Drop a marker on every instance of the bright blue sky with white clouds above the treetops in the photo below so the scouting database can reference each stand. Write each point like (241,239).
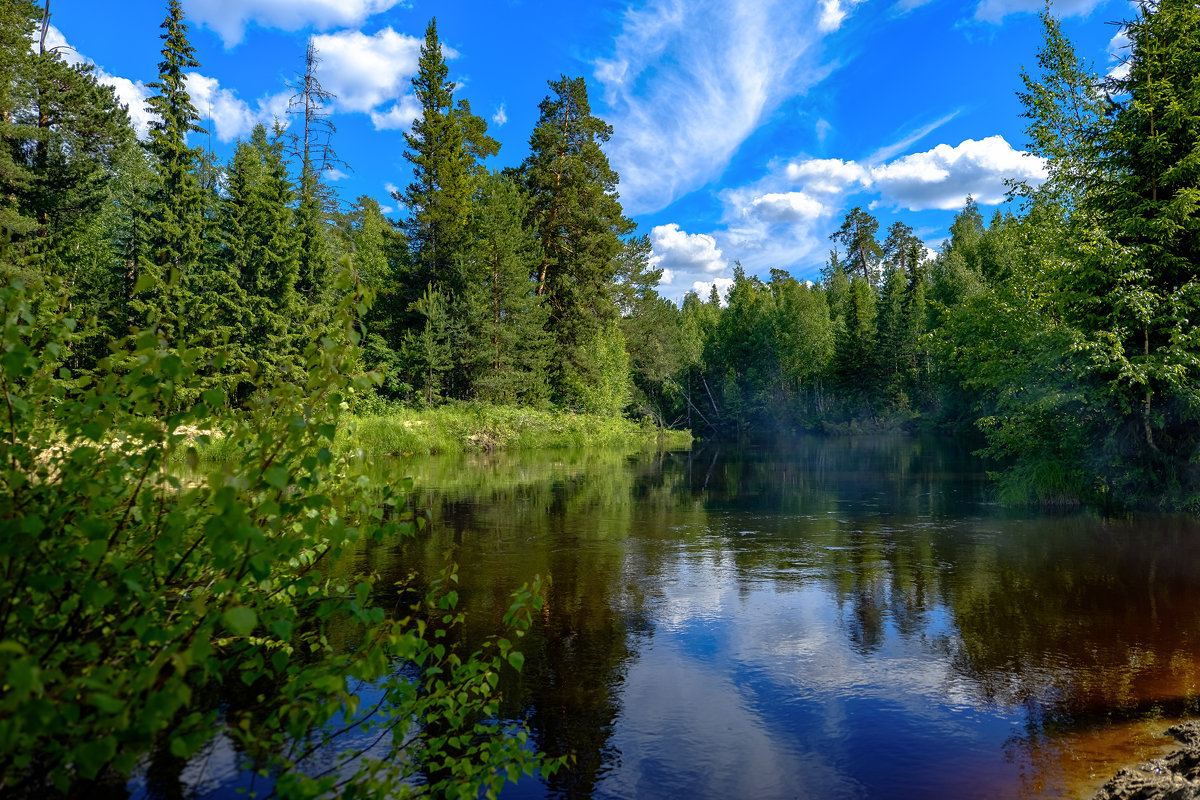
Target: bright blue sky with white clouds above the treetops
(742,130)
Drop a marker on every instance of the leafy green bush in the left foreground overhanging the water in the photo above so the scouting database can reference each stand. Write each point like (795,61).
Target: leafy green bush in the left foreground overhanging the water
(130,597)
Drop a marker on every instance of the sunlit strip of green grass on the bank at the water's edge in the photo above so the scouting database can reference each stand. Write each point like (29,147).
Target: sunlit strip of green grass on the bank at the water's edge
(473,428)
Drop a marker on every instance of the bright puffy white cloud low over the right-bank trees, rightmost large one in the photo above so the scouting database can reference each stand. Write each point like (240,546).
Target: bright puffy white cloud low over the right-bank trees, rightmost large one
(944,177)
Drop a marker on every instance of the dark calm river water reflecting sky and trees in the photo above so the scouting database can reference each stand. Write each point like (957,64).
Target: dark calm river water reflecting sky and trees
(835,618)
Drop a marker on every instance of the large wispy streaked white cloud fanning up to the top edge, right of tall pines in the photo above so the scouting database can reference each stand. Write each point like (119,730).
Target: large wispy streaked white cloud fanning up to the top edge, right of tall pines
(688,83)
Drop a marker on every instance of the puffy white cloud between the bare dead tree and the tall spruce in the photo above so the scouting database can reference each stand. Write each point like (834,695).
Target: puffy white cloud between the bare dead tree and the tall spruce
(365,73)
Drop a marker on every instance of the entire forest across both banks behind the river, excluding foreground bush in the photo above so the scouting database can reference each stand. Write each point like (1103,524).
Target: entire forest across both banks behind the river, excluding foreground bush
(1063,330)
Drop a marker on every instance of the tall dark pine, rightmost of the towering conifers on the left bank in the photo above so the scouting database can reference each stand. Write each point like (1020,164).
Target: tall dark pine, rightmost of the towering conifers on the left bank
(579,220)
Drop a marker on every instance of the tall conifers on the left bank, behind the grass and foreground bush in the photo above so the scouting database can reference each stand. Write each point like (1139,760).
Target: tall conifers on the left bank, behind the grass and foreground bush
(502,287)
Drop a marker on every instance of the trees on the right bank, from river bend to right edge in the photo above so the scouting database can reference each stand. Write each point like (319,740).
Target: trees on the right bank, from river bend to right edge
(1065,334)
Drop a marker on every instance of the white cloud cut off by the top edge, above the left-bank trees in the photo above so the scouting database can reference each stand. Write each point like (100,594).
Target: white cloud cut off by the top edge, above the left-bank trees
(229,19)
